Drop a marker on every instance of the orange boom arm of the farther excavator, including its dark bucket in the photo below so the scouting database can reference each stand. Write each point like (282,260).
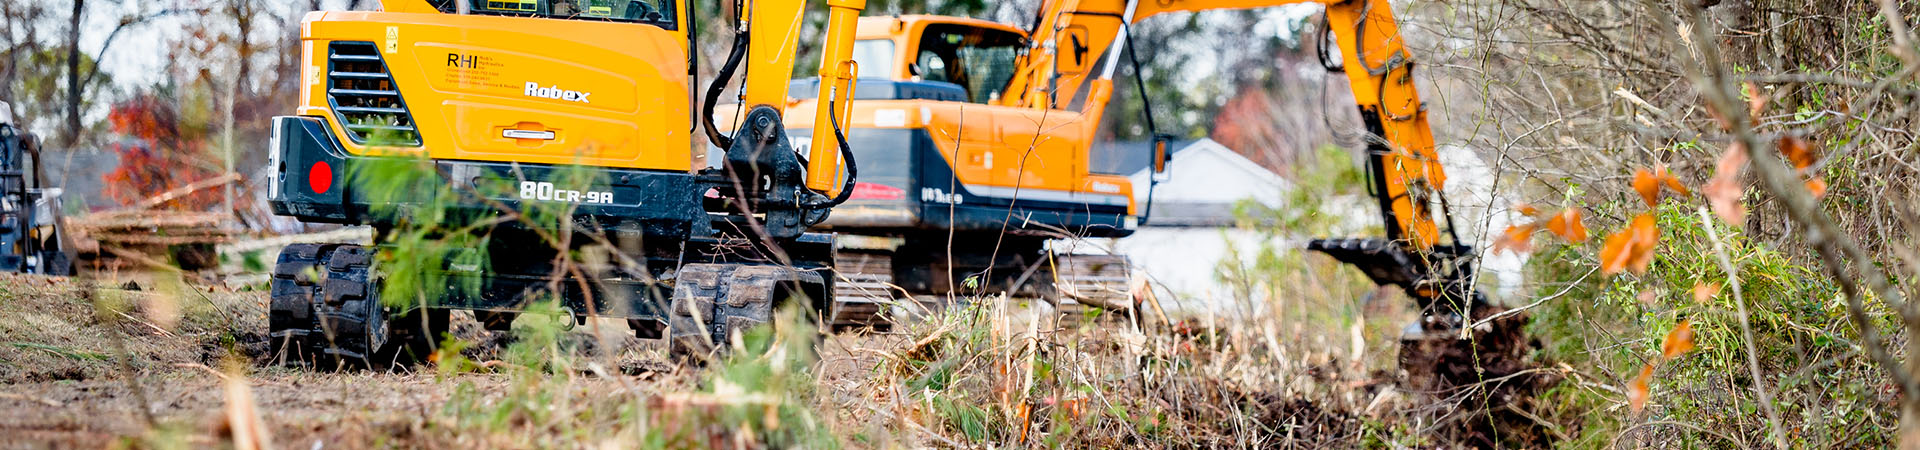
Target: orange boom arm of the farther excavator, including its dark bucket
(1074,36)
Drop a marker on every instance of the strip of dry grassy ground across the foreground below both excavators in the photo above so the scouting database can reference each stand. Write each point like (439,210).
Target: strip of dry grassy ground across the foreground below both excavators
(1001,374)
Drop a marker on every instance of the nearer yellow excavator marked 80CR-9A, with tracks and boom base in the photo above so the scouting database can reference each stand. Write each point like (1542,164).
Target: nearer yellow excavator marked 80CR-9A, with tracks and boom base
(585,105)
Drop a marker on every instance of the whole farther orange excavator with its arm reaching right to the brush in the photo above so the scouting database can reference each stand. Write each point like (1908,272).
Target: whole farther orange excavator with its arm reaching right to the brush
(976,145)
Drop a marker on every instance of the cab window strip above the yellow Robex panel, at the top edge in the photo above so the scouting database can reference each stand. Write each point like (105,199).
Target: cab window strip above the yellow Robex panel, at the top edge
(654,12)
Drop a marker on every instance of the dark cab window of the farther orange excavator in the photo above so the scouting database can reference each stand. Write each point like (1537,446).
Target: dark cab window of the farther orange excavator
(980,61)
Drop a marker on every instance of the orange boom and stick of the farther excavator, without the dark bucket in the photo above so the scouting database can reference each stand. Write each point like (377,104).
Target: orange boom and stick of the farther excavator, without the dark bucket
(1408,178)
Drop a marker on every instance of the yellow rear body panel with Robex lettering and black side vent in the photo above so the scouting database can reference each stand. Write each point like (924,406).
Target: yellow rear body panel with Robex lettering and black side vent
(469,80)
